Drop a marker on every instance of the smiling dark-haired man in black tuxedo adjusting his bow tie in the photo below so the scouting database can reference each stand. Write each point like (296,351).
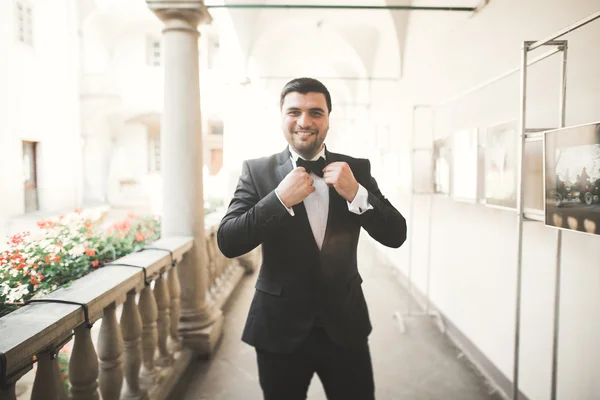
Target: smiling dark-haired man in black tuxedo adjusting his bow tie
(306,207)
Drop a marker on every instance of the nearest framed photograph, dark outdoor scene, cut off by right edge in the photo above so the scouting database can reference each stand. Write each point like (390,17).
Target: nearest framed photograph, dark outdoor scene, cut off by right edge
(572,178)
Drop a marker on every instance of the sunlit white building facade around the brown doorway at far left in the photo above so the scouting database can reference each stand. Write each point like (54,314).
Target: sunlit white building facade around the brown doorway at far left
(39,102)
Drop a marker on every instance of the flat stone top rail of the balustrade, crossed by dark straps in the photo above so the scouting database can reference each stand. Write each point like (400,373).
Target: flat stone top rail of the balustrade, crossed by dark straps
(37,327)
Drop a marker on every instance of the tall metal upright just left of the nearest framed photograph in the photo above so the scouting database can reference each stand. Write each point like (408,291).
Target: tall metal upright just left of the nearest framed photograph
(520,187)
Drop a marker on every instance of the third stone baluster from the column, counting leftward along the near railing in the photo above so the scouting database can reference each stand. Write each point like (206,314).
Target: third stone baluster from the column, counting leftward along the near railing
(149,313)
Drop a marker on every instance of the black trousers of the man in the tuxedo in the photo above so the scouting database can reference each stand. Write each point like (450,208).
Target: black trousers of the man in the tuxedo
(346,373)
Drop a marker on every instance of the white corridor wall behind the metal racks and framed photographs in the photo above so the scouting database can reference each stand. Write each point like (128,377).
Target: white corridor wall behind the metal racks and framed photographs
(473,248)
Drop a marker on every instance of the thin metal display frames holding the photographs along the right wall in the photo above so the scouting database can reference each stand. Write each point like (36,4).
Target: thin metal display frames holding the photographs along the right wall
(525,135)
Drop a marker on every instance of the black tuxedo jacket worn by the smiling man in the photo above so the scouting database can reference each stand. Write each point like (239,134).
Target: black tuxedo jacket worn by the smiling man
(298,282)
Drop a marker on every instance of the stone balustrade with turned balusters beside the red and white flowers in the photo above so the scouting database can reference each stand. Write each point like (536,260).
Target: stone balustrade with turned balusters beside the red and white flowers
(139,355)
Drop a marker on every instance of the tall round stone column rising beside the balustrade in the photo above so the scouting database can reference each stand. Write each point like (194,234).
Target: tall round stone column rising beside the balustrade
(201,323)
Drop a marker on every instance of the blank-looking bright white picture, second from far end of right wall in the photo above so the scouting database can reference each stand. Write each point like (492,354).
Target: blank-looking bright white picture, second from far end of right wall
(465,153)
